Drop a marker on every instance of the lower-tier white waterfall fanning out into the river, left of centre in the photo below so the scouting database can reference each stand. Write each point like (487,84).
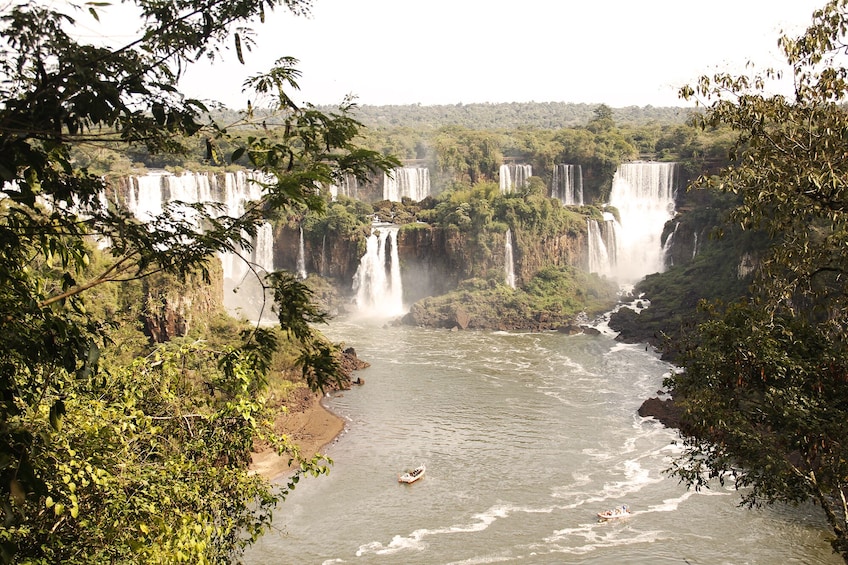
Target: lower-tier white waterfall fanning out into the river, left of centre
(377,282)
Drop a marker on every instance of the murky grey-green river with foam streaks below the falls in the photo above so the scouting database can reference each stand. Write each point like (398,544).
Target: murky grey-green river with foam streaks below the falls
(526,436)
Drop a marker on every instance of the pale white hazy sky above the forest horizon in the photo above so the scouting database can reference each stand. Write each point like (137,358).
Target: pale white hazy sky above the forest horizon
(617,52)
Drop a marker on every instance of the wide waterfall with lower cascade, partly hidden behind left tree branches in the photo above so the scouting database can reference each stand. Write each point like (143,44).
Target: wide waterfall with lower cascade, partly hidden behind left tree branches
(149,193)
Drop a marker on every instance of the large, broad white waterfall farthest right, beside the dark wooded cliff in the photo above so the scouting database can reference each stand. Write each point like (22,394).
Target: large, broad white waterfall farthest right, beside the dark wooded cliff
(643,193)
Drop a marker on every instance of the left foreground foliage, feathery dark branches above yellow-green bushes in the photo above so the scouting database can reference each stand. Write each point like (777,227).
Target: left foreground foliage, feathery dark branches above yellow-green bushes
(140,464)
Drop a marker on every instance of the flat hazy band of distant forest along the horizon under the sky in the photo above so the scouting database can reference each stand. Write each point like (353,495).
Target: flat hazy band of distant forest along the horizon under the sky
(513,115)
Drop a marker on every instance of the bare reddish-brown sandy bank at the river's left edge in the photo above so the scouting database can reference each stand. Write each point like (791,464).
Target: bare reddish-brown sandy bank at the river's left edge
(311,426)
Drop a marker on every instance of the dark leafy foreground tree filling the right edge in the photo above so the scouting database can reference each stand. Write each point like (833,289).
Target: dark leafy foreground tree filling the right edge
(765,383)
